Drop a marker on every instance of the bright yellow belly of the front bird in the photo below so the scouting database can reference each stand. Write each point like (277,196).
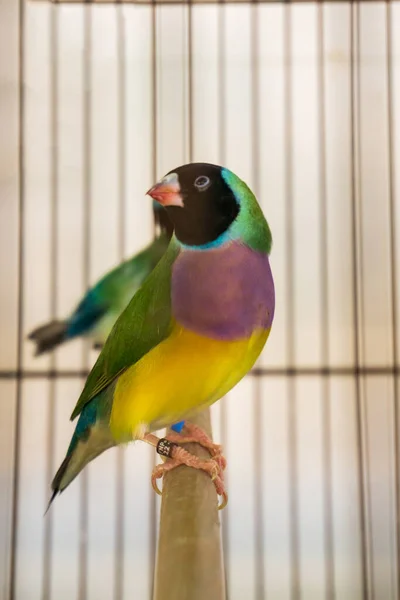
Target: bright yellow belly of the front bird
(185,373)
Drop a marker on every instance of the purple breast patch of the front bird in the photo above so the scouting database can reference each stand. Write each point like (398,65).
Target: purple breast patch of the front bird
(224,293)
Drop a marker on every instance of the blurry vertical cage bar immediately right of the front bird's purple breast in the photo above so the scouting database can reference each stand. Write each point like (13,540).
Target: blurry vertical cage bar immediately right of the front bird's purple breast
(292,416)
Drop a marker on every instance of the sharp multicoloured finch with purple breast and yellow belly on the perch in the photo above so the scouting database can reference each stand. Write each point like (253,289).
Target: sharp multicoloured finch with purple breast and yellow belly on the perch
(190,333)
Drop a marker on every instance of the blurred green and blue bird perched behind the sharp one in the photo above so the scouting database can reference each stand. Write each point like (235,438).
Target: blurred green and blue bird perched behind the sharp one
(96,313)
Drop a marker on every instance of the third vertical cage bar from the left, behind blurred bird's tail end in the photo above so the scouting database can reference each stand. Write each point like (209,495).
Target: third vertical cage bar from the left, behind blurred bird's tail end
(87,195)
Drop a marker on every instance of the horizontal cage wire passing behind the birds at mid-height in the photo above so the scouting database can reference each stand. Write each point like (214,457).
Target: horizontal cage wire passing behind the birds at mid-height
(257,372)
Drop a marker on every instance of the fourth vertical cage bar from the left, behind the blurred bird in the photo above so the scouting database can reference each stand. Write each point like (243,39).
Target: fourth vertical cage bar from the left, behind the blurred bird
(120,487)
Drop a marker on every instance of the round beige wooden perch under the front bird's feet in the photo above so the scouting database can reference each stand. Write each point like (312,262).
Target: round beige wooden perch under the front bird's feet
(189,558)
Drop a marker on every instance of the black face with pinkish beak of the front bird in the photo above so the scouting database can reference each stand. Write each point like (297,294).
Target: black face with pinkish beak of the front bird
(199,202)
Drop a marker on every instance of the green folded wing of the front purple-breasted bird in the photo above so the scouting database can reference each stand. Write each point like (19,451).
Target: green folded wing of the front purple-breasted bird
(144,323)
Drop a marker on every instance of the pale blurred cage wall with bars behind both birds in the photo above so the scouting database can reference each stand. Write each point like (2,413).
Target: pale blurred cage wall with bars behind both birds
(302,101)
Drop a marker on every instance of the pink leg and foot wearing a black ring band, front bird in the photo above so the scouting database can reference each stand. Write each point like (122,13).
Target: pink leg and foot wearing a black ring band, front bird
(179,456)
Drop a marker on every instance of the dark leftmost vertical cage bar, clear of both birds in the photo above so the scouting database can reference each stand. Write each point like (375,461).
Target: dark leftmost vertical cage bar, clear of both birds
(21,289)
